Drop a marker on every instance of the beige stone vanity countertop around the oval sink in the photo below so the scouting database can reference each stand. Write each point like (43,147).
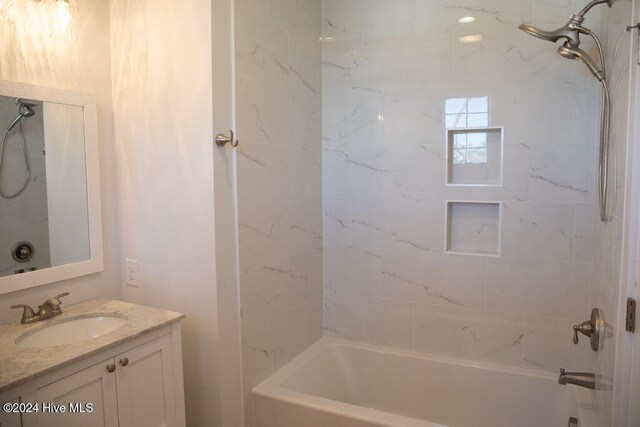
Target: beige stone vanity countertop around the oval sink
(19,365)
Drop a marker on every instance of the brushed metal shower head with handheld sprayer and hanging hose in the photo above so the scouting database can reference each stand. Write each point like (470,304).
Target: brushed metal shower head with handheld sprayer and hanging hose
(570,49)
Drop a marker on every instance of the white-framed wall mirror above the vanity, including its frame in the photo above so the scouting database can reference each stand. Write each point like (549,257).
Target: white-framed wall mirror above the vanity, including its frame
(50,227)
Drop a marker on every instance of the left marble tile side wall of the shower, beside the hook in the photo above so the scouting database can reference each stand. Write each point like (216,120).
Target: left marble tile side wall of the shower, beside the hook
(279,95)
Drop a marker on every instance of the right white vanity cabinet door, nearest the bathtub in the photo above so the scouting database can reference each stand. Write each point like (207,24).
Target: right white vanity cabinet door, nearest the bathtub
(145,385)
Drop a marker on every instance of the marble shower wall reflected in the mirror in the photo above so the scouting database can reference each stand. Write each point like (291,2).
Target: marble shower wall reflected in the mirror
(25,217)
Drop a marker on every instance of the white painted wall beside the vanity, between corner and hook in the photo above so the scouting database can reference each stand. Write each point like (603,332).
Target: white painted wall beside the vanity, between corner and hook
(162,97)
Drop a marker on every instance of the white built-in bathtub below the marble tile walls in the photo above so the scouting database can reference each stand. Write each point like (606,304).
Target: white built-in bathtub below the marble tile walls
(340,383)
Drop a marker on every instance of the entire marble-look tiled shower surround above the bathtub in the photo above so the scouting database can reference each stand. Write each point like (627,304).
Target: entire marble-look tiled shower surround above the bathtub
(365,139)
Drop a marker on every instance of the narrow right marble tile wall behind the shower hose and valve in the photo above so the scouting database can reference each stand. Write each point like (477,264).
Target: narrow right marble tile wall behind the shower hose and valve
(608,237)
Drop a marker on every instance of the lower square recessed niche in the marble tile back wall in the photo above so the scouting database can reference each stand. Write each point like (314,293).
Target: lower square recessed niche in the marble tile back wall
(473,228)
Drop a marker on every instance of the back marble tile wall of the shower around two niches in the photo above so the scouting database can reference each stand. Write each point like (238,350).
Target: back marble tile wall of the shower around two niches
(389,70)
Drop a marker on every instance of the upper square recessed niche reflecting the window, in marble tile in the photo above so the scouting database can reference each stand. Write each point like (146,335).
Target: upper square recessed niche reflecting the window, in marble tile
(474,156)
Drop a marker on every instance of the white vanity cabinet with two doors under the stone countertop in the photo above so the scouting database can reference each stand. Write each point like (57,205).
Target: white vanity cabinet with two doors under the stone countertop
(136,384)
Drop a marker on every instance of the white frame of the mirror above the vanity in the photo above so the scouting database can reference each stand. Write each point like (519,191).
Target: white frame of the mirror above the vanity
(95,263)
